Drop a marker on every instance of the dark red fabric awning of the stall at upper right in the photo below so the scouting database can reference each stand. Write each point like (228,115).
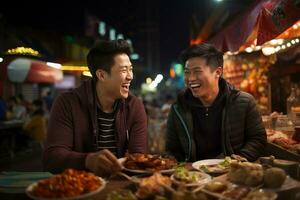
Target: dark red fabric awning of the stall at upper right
(263,21)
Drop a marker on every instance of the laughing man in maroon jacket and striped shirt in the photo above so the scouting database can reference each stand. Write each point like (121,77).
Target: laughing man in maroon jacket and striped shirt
(94,124)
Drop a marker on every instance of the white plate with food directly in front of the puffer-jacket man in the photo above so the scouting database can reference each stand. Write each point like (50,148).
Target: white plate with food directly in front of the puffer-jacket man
(213,166)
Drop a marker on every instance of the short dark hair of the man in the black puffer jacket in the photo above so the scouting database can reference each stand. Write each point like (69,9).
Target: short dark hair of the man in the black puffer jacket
(213,57)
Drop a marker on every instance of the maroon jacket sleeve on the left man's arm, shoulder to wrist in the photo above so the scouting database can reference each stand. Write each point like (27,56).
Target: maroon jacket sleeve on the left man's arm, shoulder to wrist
(59,153)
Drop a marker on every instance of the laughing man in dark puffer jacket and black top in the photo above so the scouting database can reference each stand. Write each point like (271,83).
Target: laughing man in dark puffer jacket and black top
(210,117)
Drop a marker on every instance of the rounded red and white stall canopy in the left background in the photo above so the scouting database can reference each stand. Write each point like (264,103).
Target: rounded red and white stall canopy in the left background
(32,71)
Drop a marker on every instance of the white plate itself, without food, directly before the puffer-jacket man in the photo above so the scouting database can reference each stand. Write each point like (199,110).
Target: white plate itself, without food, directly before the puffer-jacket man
(208,163)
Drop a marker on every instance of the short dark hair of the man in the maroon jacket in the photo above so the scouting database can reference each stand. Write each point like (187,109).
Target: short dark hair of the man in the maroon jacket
(101,56)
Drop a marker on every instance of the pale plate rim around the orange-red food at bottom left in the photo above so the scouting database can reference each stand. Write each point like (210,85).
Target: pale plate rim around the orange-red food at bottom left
(83,196)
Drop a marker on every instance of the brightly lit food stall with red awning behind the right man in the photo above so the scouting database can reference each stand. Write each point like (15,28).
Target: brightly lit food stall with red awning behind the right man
(263,59)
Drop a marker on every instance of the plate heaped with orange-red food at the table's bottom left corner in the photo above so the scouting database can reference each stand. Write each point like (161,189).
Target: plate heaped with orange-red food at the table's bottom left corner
(69,185)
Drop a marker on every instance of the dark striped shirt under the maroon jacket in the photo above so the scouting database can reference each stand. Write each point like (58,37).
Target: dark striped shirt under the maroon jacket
(107,134)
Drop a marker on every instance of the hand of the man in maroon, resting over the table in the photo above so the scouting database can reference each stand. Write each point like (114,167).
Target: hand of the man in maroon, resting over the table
(102,163)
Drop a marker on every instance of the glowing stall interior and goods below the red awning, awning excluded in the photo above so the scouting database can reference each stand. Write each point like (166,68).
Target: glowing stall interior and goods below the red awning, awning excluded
(270,79)
